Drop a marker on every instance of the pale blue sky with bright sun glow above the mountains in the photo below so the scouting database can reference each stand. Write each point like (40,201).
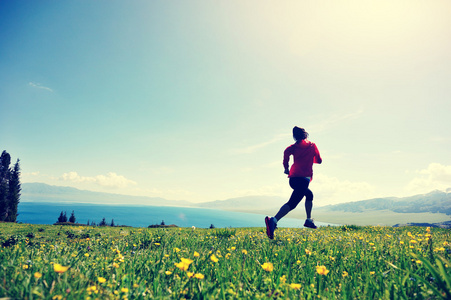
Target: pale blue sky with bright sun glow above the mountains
(195,100)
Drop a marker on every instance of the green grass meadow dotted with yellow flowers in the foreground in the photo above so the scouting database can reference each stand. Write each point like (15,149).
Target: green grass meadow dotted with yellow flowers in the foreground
(240,263)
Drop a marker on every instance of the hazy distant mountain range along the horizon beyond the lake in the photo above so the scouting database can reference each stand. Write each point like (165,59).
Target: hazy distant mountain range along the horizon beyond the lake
(434,202)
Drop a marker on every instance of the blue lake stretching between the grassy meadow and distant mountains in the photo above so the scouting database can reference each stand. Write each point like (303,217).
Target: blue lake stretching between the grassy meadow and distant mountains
(143,216)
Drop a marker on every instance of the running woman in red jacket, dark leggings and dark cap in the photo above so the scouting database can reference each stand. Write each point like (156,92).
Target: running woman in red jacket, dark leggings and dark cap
(305,154)
